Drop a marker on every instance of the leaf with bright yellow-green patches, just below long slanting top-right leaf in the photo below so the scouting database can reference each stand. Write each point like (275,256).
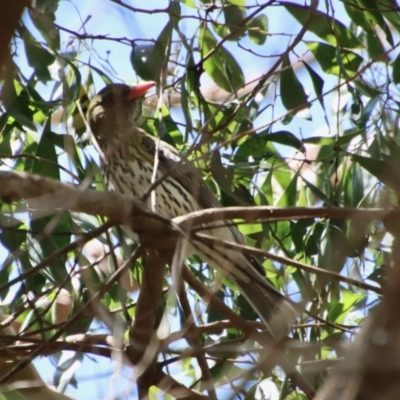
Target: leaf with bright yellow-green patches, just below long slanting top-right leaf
(326,56)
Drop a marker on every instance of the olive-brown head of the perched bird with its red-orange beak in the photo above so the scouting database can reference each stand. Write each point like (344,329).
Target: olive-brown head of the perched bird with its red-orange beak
(115,107)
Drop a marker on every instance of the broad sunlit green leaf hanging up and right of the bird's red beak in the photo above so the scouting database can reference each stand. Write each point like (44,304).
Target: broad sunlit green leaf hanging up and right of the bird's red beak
(221,65)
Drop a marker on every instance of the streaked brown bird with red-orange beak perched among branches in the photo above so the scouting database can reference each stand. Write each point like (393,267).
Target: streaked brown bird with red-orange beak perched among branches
(127,163)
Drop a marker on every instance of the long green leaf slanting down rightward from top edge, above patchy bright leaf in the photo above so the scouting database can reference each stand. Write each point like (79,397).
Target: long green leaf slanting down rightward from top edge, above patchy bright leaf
(324,26)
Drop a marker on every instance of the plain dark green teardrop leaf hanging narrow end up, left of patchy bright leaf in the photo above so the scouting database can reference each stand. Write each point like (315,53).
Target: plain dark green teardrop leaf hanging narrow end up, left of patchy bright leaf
(292,91)
